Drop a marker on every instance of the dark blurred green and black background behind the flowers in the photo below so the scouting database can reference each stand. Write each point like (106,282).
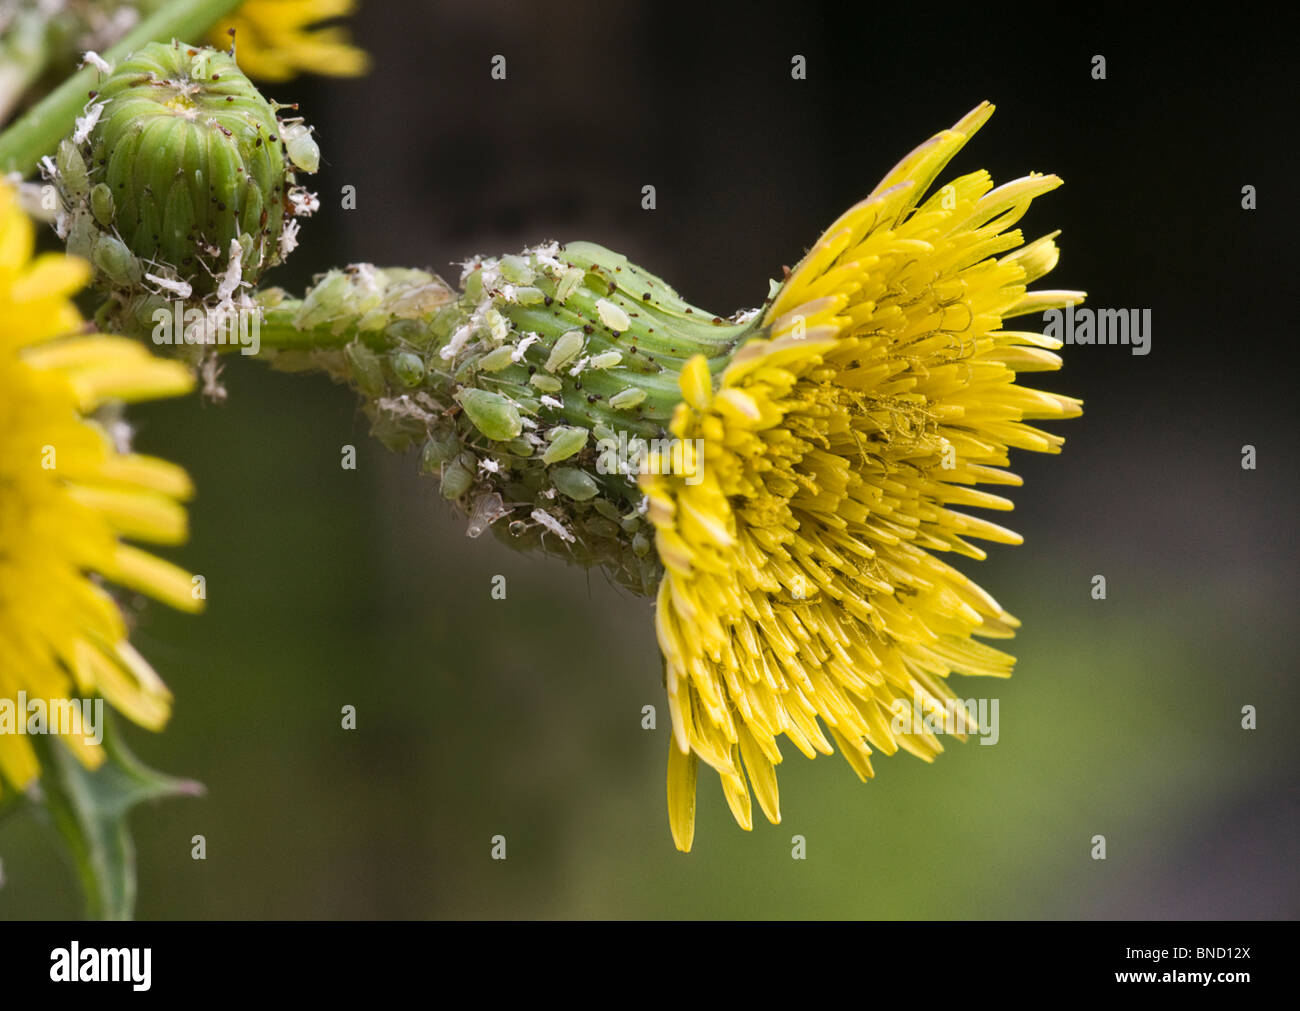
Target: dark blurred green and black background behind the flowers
(332,588)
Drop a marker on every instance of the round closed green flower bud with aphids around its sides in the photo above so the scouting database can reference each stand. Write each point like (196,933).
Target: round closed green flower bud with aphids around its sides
(181,160)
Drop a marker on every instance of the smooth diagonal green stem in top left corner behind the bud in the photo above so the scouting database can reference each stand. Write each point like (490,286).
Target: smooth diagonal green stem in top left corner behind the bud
(46,124)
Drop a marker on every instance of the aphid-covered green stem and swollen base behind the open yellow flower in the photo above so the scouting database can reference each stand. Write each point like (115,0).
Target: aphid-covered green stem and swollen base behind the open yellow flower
(539,394)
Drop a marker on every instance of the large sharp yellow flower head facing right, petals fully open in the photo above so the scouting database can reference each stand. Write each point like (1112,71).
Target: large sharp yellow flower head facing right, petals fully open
(804,595)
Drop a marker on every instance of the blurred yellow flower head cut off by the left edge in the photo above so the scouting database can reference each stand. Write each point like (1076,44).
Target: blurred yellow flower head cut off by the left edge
(68,500)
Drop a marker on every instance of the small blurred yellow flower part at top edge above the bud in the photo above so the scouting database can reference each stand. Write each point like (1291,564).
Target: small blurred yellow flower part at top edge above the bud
(275,40)
